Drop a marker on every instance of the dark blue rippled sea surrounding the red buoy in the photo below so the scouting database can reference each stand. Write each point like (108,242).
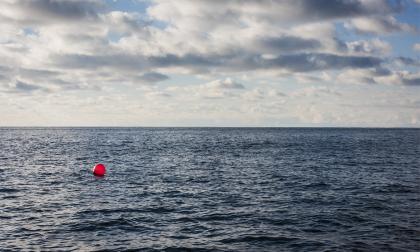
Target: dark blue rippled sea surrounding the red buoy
(210,189)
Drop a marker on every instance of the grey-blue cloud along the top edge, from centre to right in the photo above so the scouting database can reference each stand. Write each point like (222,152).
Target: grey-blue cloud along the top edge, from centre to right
(231,12)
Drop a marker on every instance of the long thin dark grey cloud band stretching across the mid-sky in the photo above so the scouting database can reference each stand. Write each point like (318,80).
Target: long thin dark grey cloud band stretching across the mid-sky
(302,62)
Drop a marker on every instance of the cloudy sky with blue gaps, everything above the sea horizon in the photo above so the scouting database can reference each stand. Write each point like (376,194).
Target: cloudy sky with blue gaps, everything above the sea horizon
(333,63)
